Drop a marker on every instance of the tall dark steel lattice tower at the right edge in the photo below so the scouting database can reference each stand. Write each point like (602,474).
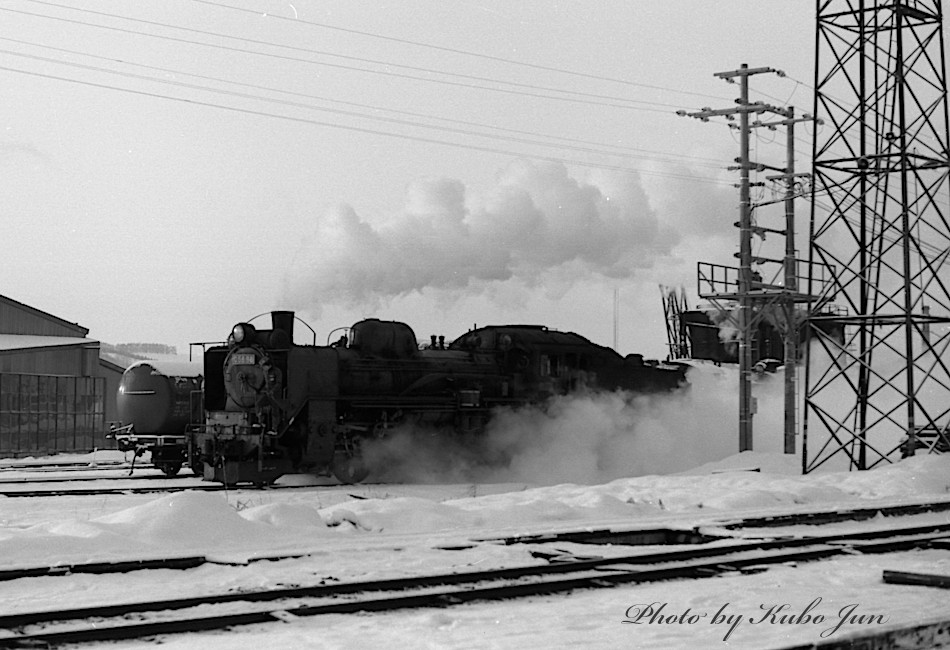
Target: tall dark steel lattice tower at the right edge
(877,379)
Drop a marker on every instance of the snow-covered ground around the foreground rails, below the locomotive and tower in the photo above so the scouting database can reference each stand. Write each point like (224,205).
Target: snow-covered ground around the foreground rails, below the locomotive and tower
(384,530)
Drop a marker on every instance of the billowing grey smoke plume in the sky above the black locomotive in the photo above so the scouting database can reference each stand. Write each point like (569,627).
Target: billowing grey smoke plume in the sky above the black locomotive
(535,220)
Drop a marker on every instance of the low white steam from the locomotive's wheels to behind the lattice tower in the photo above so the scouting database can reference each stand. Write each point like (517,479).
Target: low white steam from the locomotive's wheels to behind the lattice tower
(591,438)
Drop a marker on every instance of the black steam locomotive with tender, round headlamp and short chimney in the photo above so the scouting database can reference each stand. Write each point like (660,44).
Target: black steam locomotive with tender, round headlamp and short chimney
(273,407)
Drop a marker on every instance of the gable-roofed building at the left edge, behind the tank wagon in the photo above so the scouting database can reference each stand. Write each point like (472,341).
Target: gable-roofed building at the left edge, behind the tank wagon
(56,394)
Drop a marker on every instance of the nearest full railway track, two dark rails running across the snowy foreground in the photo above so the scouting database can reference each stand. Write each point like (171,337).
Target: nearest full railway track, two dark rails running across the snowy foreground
(219,611)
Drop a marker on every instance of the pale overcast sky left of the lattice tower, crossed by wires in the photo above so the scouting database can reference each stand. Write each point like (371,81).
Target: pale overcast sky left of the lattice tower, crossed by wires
(170,168)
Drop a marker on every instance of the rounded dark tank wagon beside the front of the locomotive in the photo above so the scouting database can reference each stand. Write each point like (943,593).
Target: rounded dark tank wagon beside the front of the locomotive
(156,403)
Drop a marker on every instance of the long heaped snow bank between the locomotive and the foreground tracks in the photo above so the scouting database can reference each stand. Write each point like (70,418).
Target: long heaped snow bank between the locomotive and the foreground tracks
(189,523)
